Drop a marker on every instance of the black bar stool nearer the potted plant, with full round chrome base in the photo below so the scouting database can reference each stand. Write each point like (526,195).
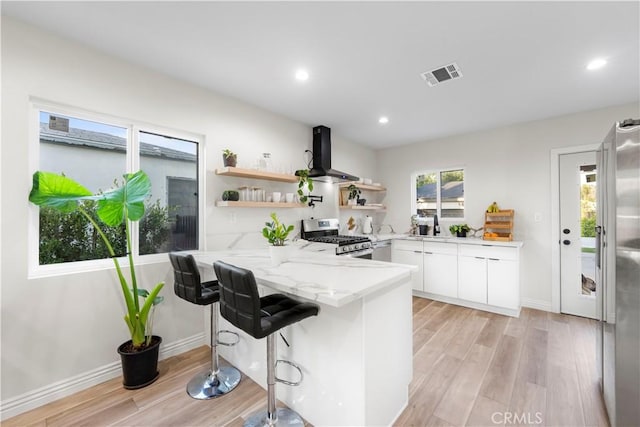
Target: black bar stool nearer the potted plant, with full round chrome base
(217,381)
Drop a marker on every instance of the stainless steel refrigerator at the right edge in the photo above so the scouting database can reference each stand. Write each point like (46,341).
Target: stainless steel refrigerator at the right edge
(618,272)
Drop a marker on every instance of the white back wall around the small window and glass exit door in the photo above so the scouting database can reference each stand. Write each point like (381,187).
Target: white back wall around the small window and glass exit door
(509,165)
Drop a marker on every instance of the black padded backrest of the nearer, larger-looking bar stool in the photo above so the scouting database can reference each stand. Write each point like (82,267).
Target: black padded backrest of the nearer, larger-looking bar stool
(239,298)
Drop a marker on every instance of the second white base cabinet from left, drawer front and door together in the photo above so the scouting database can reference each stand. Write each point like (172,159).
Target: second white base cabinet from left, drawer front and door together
(441,269)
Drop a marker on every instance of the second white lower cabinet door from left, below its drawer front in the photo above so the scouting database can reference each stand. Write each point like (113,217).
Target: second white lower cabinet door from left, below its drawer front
(441,274)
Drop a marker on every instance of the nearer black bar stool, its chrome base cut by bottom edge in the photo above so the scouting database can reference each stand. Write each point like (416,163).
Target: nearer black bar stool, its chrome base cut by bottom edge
(241,305)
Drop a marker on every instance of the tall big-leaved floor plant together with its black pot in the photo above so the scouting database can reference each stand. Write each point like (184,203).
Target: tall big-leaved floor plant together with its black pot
(119,206)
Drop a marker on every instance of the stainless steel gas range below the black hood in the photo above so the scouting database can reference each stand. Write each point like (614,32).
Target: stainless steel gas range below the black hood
(326,231)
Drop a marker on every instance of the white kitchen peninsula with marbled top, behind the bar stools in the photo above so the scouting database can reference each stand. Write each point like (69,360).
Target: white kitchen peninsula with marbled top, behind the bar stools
(356,355)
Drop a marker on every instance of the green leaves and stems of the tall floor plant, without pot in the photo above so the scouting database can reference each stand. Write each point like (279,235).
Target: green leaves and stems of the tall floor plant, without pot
(120,205)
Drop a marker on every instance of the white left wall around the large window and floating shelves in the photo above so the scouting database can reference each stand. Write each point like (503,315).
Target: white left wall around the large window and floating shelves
(60,327)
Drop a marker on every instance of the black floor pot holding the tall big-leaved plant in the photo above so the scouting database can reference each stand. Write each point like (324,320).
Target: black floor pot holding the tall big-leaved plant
(140,368)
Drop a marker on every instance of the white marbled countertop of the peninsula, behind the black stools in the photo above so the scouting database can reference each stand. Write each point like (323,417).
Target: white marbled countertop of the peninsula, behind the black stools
(320,277)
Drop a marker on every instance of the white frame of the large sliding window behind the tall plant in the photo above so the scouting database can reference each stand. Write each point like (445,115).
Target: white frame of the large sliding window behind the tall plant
(35,270)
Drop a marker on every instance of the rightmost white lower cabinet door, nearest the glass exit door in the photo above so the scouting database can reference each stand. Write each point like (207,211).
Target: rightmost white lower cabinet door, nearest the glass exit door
(503,284)
